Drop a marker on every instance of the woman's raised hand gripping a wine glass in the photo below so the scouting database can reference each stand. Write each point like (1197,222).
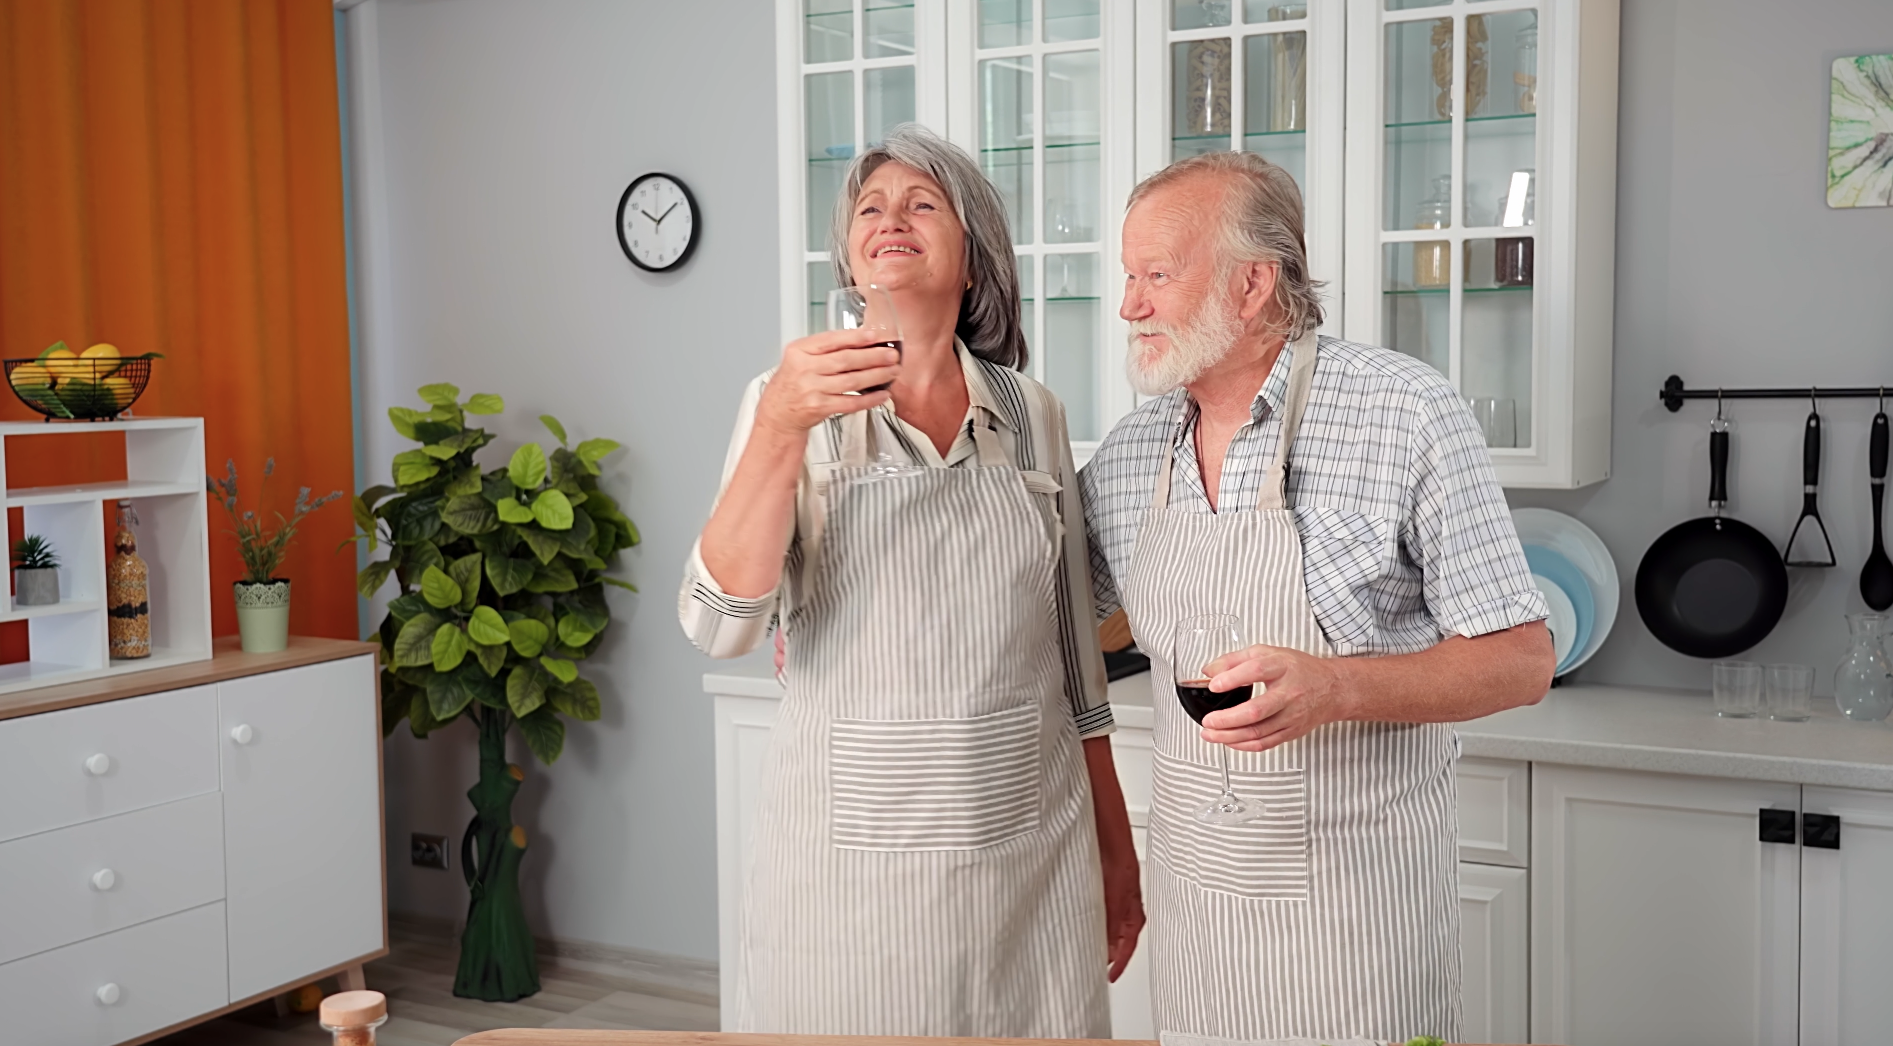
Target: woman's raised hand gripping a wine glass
(821,375)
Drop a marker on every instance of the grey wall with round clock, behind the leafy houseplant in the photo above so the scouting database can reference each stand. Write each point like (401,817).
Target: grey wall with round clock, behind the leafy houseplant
(506,135)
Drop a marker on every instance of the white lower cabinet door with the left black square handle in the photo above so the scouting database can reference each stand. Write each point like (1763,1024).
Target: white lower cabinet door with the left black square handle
(1659,915)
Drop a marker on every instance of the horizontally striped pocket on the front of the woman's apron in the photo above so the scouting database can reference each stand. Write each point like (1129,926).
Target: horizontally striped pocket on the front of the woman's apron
(934,784)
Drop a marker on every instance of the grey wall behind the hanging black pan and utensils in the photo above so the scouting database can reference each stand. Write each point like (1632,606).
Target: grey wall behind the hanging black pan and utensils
(1733,271)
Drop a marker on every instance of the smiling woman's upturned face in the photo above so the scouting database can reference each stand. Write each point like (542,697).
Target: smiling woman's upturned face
(906,235)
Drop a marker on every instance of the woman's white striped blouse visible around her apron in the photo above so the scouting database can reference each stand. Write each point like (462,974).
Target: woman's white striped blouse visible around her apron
(1033,434)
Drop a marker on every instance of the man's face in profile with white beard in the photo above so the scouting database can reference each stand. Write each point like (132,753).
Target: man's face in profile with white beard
(1178,298)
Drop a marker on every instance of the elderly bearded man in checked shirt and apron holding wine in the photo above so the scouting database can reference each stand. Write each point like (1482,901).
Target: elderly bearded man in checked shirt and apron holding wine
(1339,502)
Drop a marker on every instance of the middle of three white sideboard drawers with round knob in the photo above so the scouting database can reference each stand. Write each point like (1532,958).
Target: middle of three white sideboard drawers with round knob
(101,877)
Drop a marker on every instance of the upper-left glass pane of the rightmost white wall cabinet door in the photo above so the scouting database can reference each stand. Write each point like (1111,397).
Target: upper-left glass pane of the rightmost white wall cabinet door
(1419,126)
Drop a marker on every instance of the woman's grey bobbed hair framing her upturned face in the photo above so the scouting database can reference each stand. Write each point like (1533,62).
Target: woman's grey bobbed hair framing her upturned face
(989,311)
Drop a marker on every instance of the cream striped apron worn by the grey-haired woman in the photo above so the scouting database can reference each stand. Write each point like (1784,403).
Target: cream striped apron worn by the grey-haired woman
(927,860)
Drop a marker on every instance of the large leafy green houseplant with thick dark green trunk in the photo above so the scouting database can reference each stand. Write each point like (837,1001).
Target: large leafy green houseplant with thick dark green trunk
(503,580)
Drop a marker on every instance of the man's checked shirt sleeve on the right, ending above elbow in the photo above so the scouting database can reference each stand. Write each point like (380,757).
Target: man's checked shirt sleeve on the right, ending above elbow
(1474,570)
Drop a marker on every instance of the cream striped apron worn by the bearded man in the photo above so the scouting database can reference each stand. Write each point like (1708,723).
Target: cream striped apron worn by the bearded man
(1336,916)
